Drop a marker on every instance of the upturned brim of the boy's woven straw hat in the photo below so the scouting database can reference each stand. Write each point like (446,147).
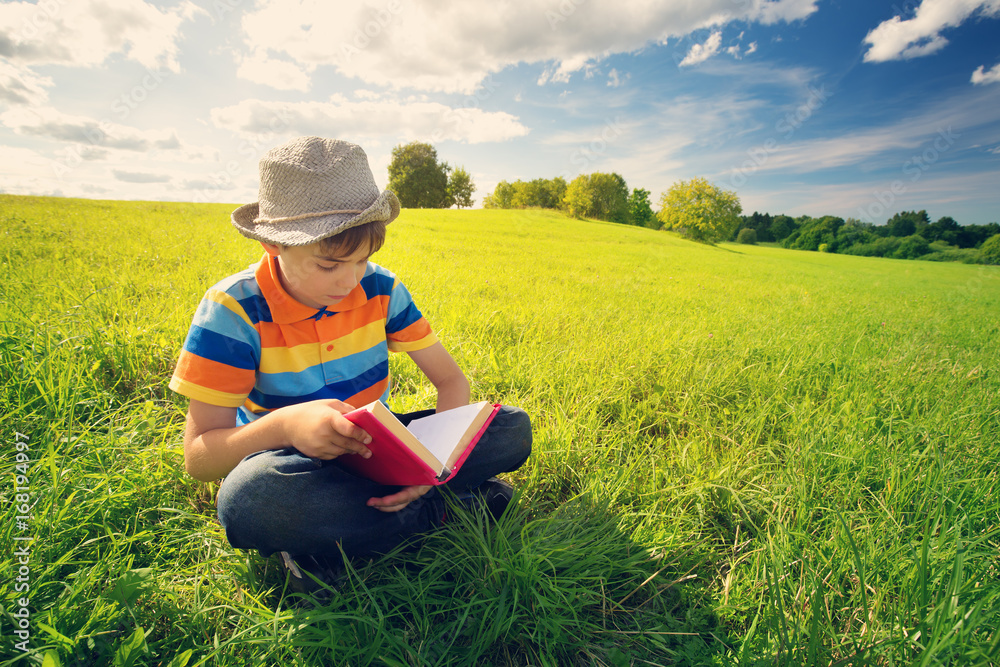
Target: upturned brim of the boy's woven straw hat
(311,230)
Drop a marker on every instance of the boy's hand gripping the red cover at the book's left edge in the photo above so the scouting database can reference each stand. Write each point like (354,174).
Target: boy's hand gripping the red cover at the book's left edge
(319,430)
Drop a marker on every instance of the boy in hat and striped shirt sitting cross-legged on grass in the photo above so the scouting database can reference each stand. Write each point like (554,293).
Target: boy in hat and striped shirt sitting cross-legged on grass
(277,353)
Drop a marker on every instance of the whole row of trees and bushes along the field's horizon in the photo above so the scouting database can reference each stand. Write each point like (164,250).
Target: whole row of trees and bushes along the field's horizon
(697,209)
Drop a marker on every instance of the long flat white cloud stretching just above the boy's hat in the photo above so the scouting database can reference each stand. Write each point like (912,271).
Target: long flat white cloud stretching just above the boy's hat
(411,119)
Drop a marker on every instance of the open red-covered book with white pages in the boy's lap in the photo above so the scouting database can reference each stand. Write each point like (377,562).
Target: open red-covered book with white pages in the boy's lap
(428,450)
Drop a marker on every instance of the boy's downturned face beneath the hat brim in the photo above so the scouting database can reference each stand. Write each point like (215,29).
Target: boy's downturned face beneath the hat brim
(316,278)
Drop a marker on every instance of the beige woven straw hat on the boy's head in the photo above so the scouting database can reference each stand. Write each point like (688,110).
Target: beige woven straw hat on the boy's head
(312,188)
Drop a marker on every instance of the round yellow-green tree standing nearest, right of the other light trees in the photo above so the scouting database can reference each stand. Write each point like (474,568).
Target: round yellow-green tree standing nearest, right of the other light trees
(700,210)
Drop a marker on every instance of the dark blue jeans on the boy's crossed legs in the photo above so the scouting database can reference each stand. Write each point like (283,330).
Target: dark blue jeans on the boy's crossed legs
(282,500)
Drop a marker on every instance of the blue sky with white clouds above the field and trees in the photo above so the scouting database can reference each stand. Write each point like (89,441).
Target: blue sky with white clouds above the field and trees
(854,108)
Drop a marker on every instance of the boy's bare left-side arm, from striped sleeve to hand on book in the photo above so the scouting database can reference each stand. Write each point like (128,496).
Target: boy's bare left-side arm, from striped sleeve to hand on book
(213,444)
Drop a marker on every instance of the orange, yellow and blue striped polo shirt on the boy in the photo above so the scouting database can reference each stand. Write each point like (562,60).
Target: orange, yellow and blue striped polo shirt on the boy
(253,347)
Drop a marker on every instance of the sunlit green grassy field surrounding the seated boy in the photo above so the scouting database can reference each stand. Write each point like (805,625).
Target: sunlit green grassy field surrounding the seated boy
(743,455)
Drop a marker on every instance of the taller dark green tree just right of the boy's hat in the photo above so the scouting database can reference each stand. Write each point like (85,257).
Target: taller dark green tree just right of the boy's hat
(417,178)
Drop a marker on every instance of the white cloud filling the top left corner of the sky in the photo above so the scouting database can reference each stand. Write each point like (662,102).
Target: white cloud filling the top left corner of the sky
(85,33)
